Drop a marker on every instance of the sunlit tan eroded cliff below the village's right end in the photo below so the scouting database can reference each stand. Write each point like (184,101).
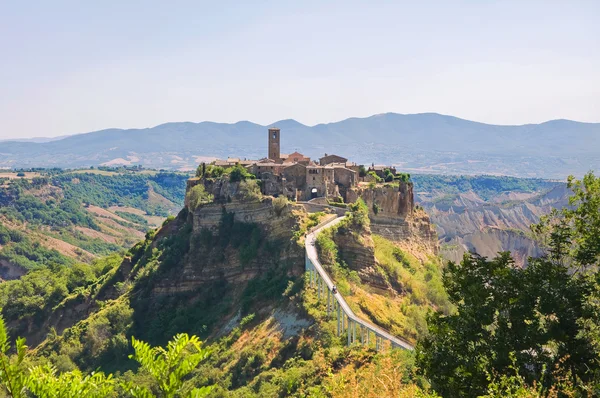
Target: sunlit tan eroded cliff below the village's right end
(393,215)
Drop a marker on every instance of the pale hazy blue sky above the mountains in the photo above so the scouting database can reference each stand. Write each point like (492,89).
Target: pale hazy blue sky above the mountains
(76,66)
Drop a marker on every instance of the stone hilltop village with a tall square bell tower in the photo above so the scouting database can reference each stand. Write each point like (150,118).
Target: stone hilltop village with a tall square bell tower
(299,178)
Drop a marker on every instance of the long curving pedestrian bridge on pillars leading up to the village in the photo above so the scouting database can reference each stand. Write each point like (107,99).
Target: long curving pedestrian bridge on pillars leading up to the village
(359,330)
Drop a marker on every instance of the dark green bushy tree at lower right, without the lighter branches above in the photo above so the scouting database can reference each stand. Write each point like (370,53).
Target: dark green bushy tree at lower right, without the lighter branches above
(533,313)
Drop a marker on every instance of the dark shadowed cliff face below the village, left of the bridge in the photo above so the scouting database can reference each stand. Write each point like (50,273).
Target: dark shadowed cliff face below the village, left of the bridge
(206,264)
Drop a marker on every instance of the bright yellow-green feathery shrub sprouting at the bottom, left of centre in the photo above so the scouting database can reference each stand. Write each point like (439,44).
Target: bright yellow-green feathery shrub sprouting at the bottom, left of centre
(170,366)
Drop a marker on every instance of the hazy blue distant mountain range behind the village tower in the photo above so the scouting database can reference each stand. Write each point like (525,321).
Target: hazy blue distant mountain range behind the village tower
(426,143)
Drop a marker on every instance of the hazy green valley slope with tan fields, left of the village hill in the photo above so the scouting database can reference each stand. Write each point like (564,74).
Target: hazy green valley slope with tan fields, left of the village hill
(63,217)
